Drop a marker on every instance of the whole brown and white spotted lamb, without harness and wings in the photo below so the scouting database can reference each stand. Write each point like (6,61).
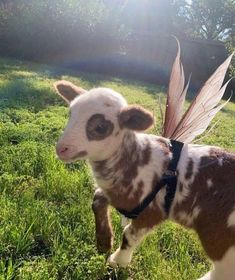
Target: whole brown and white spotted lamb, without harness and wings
(127,165)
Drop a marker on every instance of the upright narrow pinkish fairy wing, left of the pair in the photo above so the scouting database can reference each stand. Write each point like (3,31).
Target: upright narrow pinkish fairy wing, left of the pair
(175,96)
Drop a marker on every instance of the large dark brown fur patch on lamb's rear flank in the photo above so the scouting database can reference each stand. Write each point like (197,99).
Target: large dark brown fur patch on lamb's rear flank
(215,203)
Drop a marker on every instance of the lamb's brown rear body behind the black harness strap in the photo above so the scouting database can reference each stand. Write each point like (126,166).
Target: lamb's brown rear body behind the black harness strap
(205,198)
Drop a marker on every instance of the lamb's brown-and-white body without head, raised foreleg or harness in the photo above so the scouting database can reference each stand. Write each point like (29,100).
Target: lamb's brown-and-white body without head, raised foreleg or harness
(204,199)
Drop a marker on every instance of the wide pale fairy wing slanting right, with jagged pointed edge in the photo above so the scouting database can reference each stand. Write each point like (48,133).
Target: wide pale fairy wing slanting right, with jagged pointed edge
(204,107)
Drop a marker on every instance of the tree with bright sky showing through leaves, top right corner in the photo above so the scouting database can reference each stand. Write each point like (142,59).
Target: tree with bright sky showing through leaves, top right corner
(210,19)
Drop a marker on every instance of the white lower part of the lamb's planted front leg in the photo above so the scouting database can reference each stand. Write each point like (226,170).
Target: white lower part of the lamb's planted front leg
(131,238)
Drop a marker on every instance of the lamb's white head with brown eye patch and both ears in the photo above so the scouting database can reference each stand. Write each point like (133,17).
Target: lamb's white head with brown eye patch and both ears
(98,121)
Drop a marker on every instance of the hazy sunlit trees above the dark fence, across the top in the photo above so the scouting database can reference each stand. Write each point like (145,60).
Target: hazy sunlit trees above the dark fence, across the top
(40,28)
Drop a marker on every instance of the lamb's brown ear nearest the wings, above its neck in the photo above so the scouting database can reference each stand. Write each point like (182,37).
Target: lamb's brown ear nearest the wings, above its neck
(135,118)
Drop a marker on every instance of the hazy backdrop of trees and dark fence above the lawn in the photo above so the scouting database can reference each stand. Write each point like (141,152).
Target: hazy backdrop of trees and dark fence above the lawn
(120,37)
